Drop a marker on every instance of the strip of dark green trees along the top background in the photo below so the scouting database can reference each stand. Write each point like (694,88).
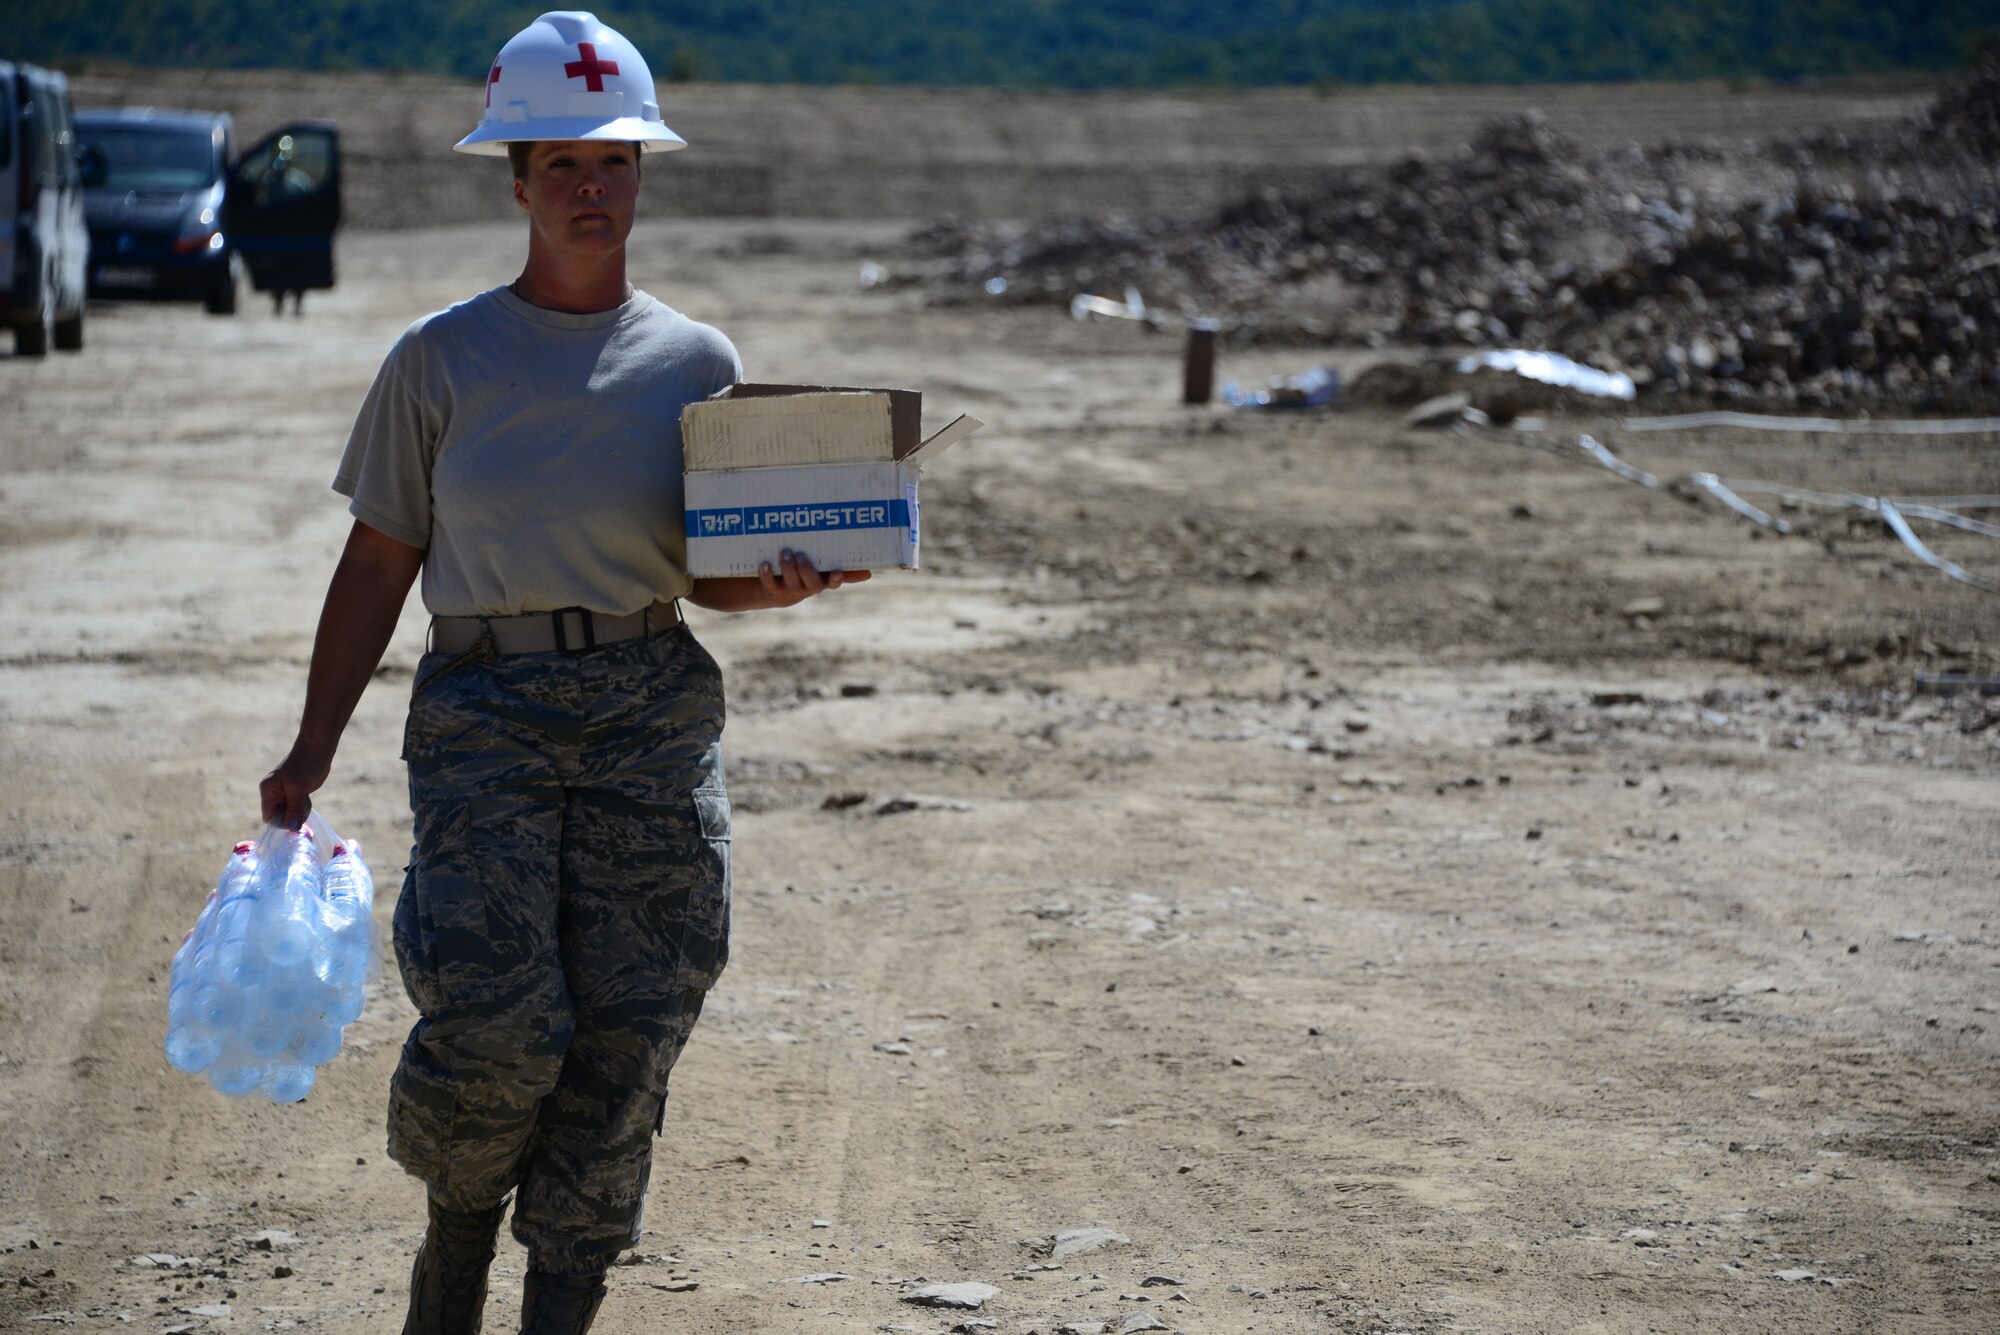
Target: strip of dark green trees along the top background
(1051,43)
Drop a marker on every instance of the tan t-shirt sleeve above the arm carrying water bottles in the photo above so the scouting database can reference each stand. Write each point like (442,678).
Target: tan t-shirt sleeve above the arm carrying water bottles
(387,467)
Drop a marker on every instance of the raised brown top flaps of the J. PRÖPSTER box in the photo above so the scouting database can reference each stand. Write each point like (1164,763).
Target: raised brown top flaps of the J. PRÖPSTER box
(775,427)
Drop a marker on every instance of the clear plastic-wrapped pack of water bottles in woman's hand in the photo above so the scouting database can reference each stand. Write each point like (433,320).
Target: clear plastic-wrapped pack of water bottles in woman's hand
(275,966)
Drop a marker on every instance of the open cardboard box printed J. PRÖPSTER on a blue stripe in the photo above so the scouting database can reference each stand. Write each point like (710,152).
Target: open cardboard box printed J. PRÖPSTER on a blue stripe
(815,469)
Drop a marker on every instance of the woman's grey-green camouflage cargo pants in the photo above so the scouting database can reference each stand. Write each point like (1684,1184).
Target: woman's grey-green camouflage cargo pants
(565,912)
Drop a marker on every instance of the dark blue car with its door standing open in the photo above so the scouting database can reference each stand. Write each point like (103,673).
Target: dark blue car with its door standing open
(175,215)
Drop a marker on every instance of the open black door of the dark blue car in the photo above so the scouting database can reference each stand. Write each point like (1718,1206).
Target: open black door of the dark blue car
(283,207)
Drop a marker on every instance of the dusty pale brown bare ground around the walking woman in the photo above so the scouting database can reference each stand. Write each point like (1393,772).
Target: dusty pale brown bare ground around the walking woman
(1399,882)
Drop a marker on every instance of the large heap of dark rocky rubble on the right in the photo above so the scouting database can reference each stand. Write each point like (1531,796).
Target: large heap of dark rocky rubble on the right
(1809,269)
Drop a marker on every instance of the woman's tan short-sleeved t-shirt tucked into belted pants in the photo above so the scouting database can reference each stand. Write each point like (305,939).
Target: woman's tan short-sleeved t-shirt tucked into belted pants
(537,455)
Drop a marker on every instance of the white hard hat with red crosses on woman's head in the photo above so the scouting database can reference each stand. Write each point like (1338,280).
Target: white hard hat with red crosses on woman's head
(567,77)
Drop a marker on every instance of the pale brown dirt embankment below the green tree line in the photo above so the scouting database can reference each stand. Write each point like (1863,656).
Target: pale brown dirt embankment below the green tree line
(911,153)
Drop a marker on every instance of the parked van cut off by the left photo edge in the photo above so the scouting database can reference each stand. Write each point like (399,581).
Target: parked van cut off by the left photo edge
(45,247)
